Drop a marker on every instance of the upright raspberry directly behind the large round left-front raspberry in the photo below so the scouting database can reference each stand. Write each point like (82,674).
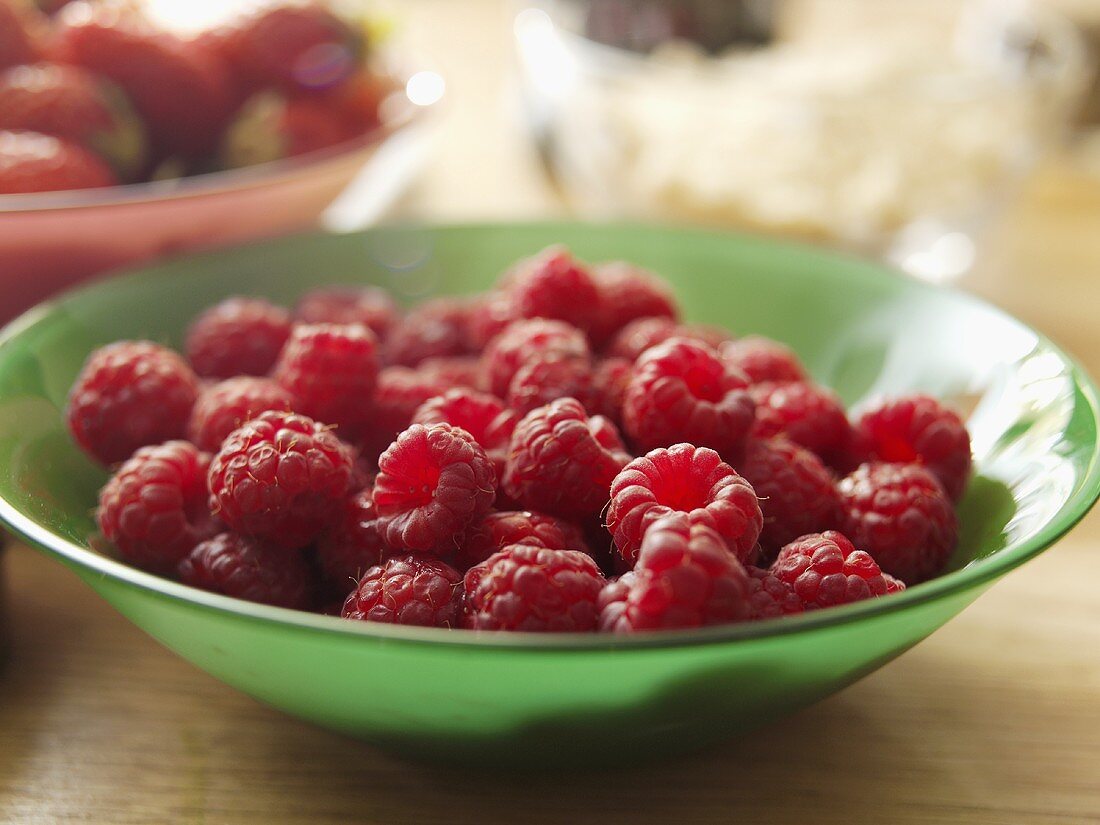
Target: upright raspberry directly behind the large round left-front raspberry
(332,370)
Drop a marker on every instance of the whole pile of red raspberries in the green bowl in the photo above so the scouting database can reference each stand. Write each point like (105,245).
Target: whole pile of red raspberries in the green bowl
(563,454)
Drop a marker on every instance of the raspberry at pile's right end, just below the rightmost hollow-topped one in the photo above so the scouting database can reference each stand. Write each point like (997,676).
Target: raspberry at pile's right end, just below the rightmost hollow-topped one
(901,516)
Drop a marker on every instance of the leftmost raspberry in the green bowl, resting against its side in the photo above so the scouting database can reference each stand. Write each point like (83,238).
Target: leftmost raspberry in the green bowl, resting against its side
(128,395)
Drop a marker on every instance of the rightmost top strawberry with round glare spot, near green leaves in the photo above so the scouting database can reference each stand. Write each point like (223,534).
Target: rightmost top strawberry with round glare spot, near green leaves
(298,46)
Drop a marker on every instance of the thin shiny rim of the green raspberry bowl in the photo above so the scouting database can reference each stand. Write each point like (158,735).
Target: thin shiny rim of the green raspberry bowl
(973,576)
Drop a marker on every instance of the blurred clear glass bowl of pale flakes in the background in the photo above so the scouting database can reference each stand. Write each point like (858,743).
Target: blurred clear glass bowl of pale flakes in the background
(893,129)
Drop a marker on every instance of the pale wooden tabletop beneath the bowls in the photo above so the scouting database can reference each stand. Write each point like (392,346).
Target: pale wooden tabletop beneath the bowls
(994,720)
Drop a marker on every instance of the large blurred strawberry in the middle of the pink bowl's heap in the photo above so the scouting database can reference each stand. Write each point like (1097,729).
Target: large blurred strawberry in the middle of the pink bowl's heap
(181,92)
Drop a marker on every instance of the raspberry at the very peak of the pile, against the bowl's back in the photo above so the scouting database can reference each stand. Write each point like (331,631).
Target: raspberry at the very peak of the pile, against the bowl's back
(554,285)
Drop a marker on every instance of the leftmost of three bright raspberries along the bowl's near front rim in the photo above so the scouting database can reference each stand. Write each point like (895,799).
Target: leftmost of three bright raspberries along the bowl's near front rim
(410,591)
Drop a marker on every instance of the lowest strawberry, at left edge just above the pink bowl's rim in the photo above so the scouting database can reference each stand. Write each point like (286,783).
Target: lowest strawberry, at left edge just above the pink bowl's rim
(32,162)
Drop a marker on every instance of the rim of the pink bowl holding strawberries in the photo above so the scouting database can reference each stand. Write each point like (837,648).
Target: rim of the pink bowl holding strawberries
(404,115)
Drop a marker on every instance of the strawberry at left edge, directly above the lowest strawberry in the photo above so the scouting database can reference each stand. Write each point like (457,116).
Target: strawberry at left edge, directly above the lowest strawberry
(69,102)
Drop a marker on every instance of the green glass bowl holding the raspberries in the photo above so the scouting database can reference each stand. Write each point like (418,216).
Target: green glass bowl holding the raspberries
(529,699)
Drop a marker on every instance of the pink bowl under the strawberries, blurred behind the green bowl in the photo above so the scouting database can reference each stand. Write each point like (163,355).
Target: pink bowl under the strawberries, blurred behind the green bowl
(52,240)
